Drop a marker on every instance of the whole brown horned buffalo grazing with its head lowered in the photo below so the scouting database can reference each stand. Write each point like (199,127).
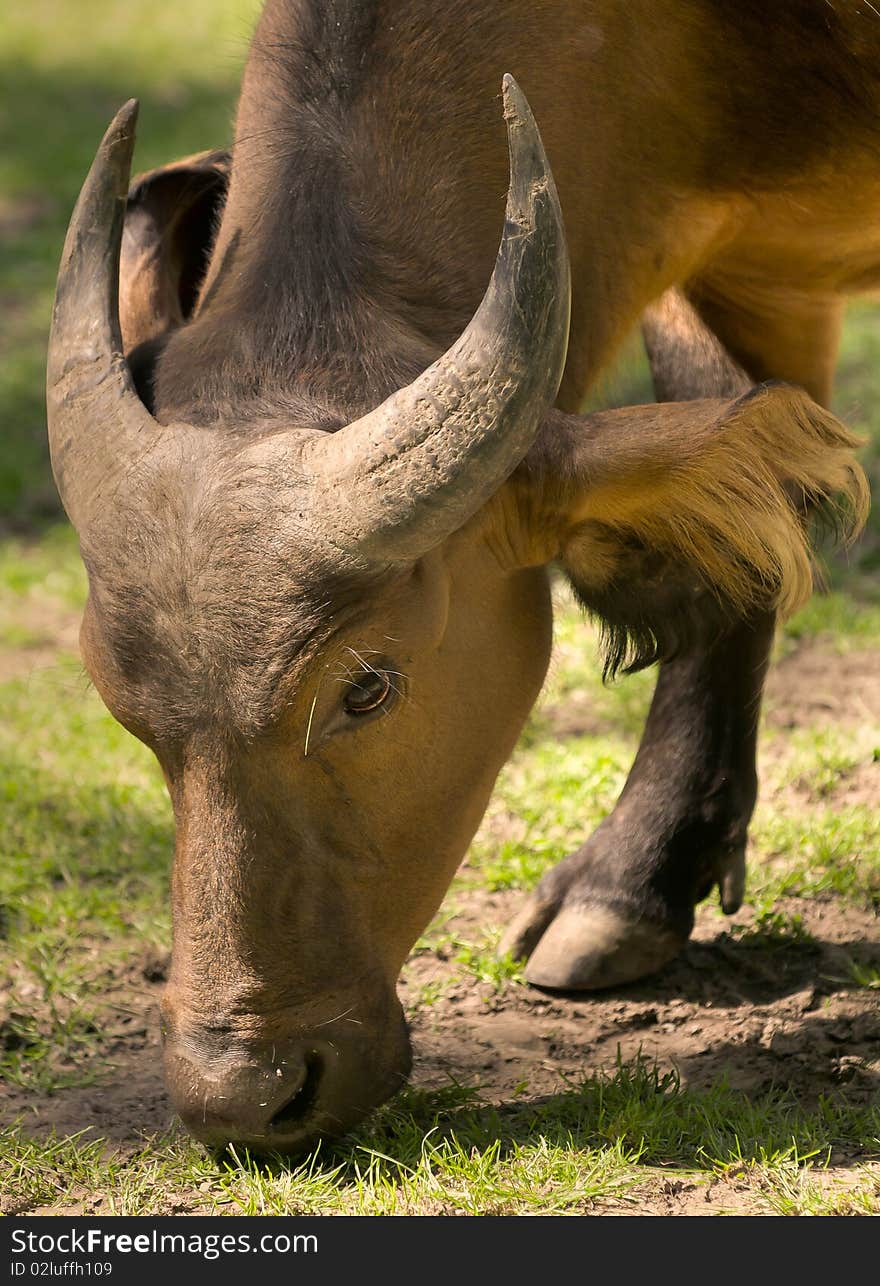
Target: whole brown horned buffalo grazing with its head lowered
(321,473)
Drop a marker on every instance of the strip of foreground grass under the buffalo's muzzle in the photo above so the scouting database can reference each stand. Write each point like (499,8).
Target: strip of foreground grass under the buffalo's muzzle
(450,1153)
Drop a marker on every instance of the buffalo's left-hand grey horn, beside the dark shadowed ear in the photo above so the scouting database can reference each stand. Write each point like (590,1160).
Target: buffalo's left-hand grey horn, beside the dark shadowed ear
(95,413)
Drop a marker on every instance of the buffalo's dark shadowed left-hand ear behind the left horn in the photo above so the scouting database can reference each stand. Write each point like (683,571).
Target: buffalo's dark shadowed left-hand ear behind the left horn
(170,222)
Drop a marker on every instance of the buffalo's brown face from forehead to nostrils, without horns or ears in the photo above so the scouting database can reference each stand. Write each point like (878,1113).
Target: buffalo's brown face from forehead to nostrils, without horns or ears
(315,839)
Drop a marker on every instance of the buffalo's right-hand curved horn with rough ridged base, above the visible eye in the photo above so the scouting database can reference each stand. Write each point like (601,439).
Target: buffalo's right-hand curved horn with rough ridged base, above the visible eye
(411,473)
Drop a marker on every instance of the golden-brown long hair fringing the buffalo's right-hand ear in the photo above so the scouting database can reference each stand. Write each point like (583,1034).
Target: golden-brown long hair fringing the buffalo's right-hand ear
(710,489)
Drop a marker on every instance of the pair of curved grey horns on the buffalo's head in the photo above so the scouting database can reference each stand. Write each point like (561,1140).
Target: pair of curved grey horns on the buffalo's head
(399,480)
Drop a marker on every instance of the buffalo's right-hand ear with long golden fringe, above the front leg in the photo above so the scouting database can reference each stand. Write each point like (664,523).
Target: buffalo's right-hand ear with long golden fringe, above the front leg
(675,520)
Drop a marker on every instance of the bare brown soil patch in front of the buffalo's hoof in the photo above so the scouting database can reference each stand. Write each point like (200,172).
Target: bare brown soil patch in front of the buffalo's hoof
(742,1009)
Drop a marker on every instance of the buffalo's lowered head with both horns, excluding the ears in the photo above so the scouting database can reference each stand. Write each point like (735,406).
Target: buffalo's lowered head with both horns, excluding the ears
(286,617)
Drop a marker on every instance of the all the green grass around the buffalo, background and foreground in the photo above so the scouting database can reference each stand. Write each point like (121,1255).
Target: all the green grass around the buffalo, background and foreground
(86,826)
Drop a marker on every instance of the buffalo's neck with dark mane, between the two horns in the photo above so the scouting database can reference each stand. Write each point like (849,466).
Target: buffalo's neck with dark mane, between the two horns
(343,263)
